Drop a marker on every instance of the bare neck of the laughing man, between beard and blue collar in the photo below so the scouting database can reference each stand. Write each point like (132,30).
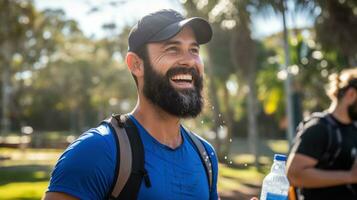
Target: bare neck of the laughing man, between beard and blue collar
(163,126)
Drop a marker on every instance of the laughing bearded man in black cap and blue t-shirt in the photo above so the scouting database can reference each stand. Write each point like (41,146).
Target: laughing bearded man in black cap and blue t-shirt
(164,59)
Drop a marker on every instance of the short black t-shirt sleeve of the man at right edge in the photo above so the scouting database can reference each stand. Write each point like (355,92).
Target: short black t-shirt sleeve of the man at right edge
(312,142)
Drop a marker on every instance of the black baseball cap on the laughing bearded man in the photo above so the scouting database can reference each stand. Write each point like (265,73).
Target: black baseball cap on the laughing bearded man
(165,24)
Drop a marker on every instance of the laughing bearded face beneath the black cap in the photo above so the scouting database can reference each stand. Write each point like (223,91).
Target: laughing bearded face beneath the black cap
(173,75)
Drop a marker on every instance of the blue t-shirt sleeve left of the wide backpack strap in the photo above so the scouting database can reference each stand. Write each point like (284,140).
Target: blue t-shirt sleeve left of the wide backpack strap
(85,169)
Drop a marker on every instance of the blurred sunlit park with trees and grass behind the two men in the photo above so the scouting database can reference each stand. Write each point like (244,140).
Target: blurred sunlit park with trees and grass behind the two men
(62,72)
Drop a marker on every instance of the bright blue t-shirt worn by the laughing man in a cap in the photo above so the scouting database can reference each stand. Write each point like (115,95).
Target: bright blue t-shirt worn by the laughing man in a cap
(86,169)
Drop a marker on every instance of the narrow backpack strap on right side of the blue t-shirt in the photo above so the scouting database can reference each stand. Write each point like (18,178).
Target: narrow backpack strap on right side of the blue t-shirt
(203,155)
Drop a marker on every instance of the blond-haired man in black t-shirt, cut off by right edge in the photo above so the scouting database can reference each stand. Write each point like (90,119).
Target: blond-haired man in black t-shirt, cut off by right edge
(308,166)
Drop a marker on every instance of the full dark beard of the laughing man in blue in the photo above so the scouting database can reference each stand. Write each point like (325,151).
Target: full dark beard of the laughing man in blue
(182,103)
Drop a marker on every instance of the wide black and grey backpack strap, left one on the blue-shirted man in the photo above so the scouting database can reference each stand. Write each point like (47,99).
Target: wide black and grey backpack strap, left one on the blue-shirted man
(130,160)
